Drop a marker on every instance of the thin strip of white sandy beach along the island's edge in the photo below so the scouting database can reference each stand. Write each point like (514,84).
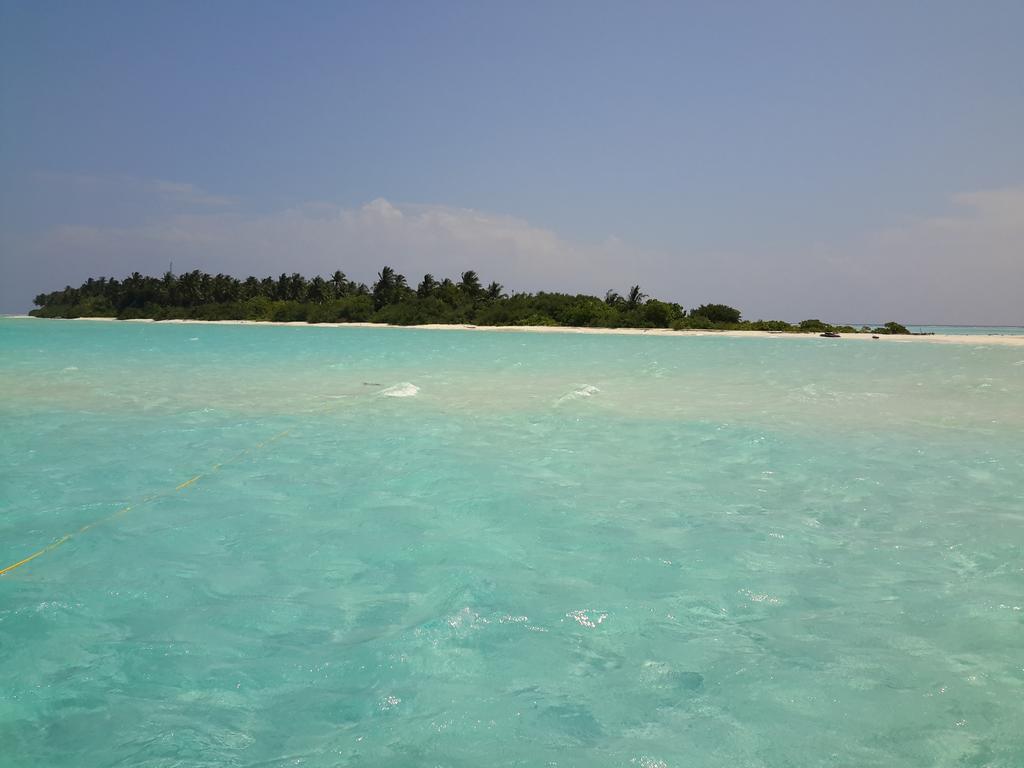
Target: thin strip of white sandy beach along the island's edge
(996,340)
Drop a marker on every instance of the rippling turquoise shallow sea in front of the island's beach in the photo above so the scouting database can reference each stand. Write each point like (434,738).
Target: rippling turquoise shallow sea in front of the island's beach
(508,549)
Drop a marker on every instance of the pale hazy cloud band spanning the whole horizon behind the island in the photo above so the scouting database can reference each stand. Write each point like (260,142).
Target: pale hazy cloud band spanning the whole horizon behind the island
(964,267)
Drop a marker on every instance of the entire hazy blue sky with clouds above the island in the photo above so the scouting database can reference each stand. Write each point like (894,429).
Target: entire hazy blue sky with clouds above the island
(855,162)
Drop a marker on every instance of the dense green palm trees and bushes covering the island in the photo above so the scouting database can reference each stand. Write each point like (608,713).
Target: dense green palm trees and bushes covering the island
(197,295)
